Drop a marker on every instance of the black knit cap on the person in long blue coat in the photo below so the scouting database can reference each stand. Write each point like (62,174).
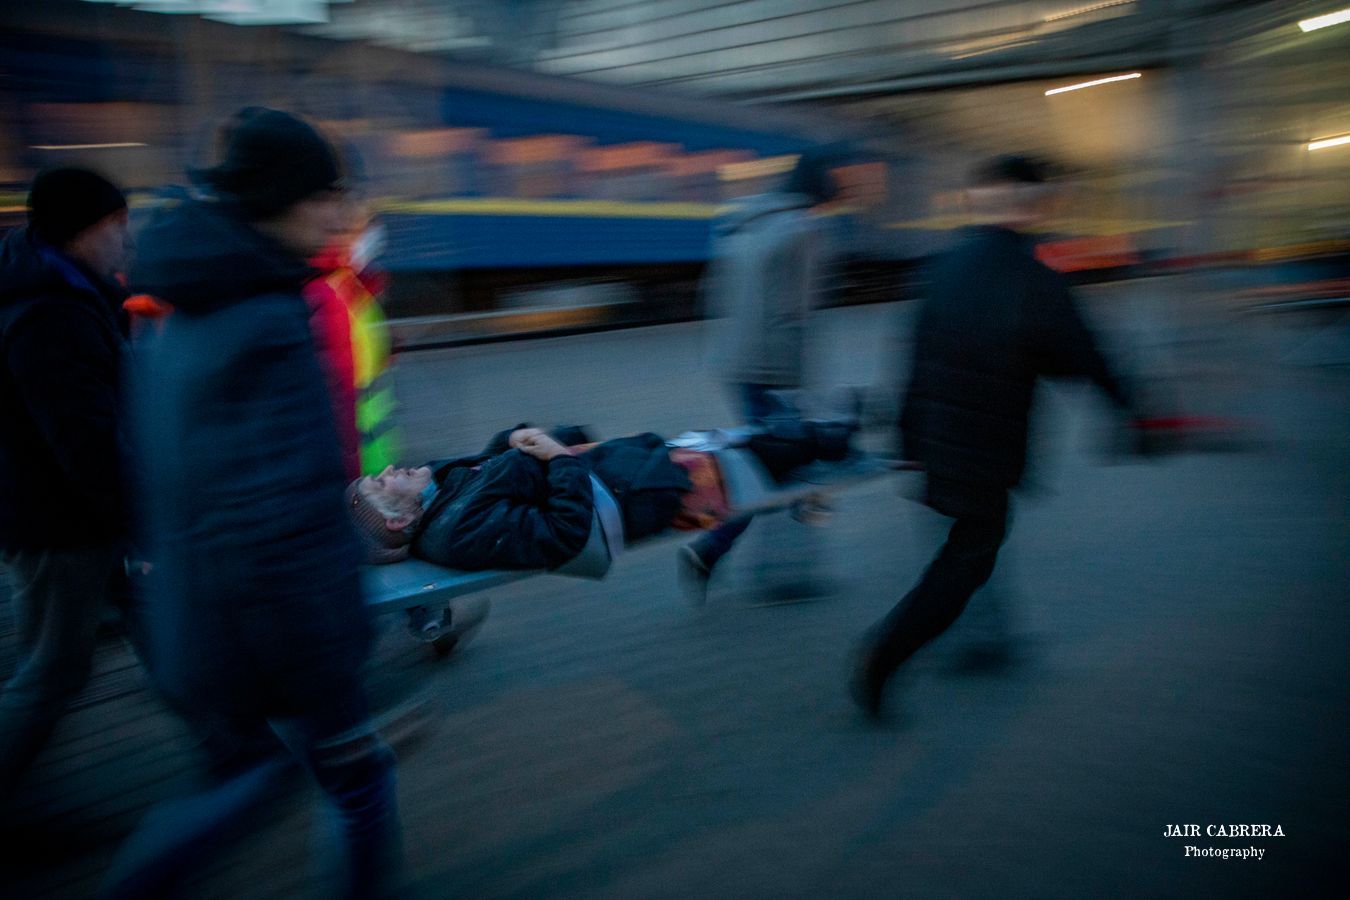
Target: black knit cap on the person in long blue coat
(273,161)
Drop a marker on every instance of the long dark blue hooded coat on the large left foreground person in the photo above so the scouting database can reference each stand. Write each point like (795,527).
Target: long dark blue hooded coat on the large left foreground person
(254,605)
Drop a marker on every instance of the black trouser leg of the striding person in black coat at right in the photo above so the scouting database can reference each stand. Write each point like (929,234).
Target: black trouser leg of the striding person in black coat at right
(963,565)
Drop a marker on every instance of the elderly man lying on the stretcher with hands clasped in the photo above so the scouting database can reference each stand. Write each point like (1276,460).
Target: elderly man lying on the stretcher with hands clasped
(529,501)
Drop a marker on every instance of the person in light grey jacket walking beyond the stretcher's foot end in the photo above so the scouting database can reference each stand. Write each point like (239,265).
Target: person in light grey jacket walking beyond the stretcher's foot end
(765,280)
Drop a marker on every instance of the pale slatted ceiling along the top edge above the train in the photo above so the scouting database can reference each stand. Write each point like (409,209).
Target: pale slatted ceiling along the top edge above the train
(805,49)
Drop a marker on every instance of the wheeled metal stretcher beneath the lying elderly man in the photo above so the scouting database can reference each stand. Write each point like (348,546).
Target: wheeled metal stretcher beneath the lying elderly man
(419,586)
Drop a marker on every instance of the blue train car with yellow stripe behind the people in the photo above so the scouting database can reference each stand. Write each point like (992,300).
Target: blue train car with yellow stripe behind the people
(510,202)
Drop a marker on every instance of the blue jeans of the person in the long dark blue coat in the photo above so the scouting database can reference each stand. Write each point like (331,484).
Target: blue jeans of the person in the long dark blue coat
(249,766)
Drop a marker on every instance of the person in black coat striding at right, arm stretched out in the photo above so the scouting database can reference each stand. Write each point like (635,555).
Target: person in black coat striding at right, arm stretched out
(996,322)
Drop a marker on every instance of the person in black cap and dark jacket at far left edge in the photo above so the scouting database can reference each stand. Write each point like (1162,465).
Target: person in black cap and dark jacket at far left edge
(63,501)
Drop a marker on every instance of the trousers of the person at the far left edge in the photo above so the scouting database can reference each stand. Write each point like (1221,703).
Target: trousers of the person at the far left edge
(59,601)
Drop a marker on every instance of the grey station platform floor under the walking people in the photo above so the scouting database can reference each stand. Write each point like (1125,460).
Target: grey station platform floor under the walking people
(1182,625)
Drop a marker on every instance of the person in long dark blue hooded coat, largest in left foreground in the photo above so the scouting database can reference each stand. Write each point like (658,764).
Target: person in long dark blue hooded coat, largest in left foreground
(254,608)
